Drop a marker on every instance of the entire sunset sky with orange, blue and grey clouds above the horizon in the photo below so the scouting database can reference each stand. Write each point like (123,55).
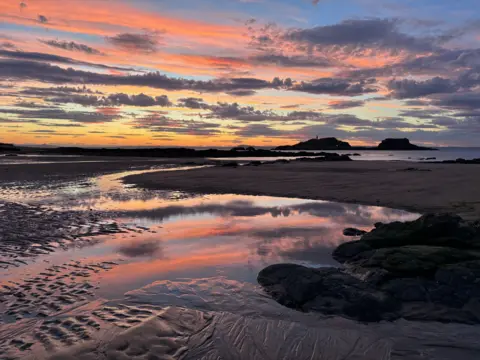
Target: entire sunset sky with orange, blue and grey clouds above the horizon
(236,72)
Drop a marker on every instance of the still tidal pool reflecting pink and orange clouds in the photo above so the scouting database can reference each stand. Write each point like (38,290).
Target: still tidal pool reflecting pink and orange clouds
(176,236)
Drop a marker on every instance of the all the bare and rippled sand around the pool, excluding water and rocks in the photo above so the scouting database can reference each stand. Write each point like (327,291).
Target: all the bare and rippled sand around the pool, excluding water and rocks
(56,314)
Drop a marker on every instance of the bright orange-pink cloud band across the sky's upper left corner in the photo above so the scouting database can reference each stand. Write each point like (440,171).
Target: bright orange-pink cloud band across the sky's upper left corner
(108,18)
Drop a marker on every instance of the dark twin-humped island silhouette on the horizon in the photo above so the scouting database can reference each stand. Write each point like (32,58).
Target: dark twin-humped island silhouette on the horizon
(332,143)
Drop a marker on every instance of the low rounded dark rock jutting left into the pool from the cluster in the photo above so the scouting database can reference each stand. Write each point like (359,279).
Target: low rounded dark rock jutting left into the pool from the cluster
(327,290)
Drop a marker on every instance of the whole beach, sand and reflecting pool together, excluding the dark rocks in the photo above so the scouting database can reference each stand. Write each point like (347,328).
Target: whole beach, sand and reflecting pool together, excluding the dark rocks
(61,306)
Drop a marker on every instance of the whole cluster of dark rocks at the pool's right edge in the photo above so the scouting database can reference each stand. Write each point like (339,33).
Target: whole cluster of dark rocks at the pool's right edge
(427,269)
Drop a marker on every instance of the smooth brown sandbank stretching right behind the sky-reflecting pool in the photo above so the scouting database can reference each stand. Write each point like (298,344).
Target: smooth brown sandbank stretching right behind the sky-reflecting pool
(426,188)
